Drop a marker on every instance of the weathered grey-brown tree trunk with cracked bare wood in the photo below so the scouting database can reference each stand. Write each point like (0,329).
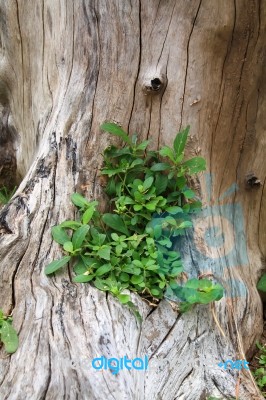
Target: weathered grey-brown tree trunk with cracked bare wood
(66,67)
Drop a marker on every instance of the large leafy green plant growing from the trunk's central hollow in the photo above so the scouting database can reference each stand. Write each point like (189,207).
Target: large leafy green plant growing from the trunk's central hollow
(131,247)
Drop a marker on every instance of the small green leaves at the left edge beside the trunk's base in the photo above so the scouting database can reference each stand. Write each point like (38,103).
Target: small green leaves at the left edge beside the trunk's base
(8,335)
